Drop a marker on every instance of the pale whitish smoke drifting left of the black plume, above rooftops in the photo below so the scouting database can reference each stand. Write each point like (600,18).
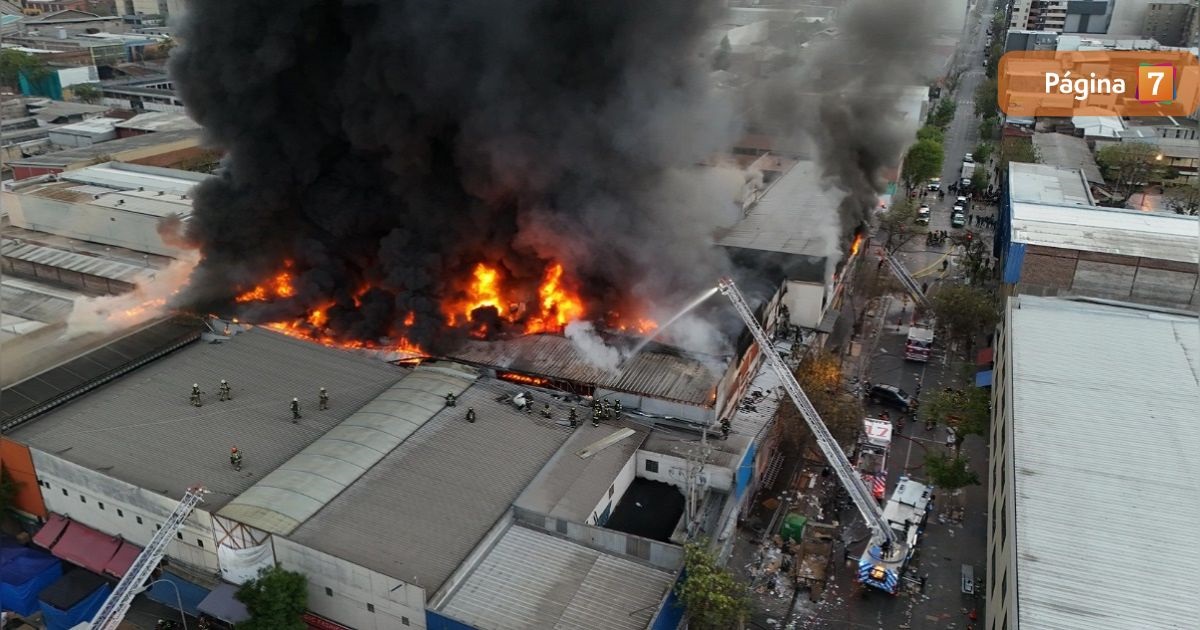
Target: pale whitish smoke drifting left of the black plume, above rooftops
(110,314)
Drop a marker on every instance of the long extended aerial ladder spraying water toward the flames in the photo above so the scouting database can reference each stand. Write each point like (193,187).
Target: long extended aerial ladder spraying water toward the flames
(889,551)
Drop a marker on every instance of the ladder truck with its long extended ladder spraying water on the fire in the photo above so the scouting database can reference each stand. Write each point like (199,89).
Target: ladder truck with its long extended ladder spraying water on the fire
(895,532)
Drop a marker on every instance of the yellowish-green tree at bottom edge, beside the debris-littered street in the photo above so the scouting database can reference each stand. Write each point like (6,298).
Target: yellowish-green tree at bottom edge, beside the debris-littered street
(713,599)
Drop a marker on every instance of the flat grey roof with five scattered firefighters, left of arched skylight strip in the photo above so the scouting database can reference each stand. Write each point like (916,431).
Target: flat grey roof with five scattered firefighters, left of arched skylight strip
(141,429)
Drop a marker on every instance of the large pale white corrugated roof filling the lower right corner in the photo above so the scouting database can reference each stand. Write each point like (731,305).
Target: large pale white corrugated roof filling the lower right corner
(1106,400)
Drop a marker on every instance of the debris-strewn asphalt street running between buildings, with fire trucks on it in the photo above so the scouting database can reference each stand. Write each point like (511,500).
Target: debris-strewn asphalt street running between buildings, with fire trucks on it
(947,545)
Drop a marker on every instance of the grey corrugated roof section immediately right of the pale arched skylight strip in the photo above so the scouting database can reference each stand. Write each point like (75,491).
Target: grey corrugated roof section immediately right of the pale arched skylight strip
(421,512)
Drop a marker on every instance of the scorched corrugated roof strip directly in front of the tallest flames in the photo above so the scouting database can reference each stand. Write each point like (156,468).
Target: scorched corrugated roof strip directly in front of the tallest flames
(653,374)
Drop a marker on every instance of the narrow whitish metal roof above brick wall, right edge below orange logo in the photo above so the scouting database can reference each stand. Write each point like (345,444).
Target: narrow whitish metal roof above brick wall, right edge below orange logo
(1159,236)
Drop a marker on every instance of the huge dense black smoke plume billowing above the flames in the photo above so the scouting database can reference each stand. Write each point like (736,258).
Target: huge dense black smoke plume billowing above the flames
(395,145)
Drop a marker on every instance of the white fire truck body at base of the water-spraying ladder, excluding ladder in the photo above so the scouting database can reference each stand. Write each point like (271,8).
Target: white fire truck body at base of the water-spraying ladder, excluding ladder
(905,513)
